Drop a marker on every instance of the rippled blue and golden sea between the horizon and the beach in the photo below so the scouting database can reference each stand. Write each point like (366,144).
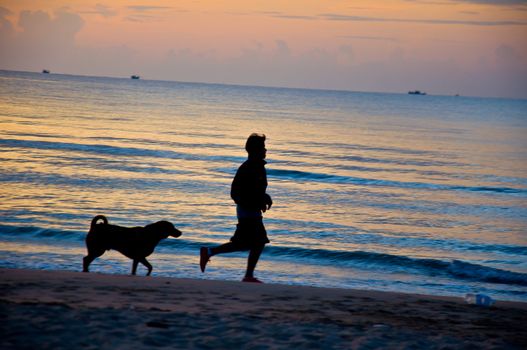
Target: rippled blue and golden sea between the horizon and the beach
(378,191)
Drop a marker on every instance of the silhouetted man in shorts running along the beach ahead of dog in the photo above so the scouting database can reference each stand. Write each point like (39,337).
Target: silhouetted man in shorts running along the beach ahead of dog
(248,192)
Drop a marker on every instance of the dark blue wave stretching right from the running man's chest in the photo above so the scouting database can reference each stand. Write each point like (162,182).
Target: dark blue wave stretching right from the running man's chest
(341,179)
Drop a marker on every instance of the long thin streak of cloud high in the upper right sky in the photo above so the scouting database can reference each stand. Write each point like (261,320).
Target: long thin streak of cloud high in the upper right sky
(339,17)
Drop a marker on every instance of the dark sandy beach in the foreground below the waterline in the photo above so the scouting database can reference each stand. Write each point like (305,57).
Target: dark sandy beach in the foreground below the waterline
(73,310)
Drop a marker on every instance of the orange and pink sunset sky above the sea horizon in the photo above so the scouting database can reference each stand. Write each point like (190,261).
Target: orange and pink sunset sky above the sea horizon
(467,47)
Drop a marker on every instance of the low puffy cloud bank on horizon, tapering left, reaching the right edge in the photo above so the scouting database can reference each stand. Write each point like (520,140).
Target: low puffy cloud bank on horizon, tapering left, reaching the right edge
(276,64)
